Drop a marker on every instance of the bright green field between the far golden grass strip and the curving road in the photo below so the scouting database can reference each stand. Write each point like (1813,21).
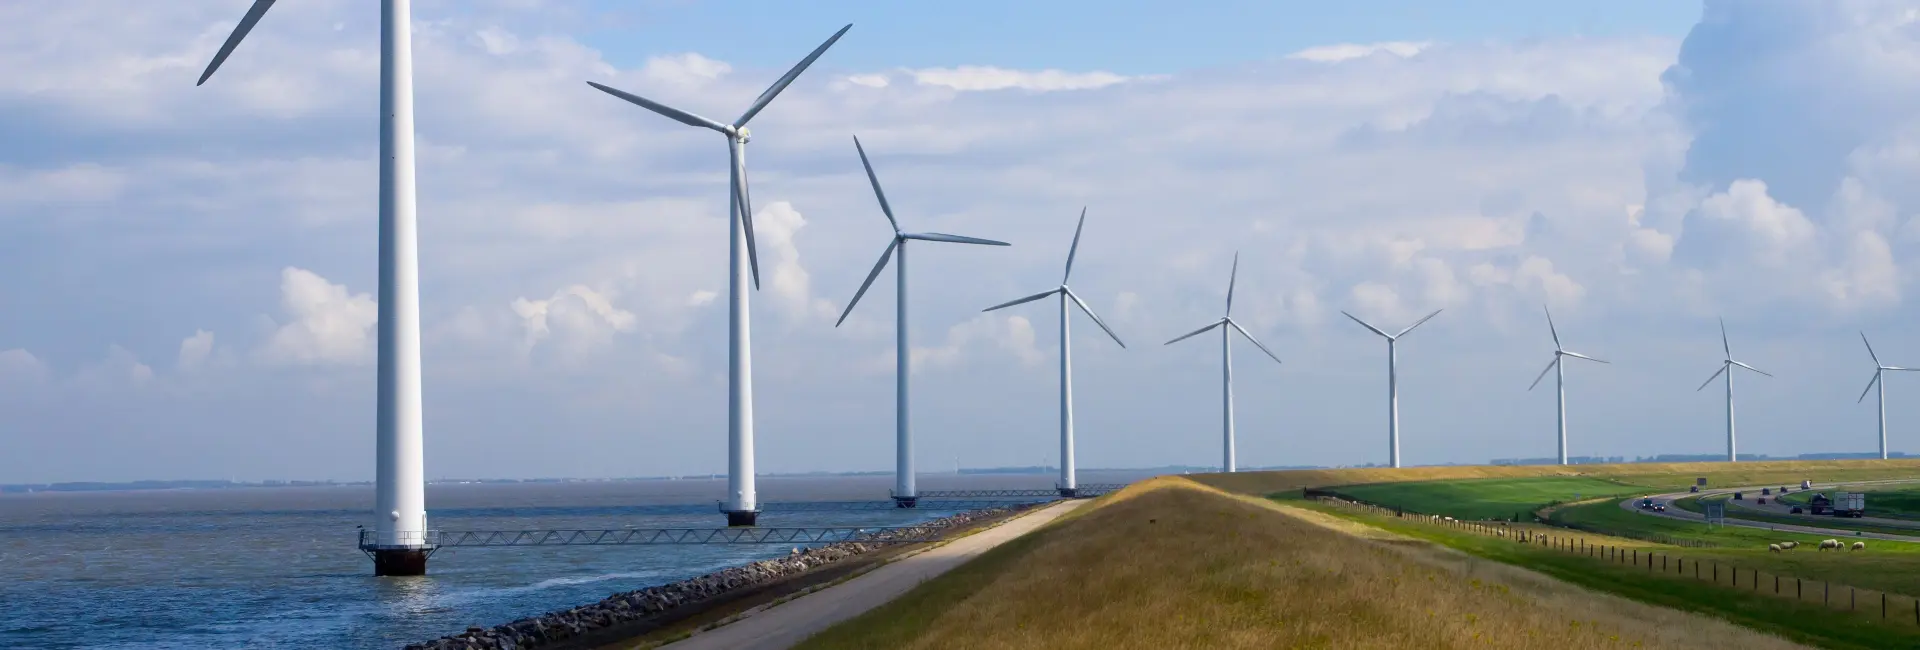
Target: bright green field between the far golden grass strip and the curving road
(1489,499)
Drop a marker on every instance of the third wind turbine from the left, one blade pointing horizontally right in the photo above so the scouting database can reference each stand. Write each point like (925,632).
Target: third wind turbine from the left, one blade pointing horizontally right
(903,475)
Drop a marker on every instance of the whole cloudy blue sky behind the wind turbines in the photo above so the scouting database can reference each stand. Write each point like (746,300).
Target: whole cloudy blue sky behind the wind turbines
(191,271)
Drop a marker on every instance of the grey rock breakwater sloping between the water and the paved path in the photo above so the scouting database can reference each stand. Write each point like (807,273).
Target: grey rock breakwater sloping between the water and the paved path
(654,601)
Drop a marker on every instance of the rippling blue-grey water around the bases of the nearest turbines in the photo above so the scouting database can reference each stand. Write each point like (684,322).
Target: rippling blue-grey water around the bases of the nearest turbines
(276,569)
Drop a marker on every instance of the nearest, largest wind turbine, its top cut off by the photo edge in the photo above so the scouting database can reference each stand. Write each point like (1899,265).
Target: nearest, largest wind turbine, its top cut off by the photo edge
(400,538)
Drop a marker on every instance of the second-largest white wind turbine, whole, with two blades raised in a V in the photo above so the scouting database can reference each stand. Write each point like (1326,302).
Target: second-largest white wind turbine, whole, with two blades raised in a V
(742,507)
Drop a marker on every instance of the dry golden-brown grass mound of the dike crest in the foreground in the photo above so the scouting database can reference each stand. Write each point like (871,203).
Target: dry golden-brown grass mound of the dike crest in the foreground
(1176,565)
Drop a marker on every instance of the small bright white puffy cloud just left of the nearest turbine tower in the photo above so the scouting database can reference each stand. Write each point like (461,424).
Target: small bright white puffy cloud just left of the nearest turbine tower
(327,325)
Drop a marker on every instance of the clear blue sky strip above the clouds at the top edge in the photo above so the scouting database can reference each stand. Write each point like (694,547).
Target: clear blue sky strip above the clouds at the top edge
(1128,37)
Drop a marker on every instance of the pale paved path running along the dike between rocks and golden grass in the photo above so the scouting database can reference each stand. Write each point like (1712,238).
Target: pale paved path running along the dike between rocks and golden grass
(792,622)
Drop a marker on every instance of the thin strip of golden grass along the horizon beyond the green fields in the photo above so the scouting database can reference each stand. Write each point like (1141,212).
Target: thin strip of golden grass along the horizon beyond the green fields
(1646,473)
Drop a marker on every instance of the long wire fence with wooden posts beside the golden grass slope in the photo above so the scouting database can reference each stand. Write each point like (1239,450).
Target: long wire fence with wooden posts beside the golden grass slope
(1863,603)
